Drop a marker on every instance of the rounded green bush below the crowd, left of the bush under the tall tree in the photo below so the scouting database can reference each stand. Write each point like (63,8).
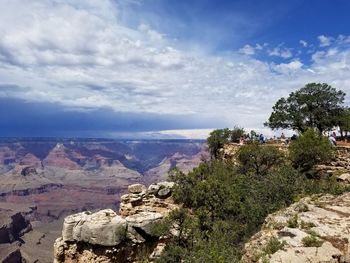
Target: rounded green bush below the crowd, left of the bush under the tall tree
(258,159)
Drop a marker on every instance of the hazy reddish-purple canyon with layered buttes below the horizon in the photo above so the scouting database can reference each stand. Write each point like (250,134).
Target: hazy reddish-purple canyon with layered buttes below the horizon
(44,180)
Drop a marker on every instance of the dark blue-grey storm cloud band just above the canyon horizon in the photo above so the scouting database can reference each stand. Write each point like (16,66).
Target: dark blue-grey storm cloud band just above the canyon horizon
(20,118)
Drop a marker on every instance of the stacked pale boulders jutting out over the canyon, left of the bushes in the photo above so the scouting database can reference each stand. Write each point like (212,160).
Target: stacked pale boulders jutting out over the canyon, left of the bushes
(105,236)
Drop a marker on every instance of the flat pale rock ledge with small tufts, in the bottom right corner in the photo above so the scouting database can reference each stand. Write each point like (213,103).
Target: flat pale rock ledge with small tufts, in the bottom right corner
(315,229)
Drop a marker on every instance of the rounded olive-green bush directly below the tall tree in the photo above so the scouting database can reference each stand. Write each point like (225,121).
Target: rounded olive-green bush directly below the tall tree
(310,149)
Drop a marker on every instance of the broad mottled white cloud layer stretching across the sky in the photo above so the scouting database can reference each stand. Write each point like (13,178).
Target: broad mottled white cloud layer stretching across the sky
(80,56)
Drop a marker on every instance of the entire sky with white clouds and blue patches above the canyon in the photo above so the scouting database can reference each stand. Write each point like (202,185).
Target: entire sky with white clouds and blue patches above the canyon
(162,68)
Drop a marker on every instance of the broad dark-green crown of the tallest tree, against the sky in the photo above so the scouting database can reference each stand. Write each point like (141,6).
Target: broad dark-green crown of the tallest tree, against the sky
(316,105)
